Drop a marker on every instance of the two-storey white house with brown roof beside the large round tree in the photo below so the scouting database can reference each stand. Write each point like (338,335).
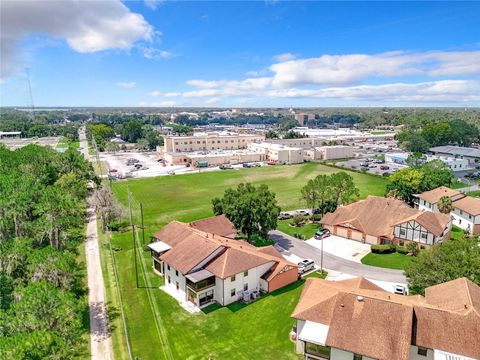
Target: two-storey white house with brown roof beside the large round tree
(202,264)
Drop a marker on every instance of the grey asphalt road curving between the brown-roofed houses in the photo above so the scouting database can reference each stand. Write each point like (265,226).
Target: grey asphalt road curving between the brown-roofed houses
(331,262)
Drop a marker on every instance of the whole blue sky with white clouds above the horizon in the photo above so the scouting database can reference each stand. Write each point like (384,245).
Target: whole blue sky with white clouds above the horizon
(149,53)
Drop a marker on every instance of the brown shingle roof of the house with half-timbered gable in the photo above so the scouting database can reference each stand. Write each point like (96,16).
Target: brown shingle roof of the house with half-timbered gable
(377,216)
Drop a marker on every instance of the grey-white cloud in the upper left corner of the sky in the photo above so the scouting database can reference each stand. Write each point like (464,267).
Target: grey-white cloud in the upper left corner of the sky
(86,26)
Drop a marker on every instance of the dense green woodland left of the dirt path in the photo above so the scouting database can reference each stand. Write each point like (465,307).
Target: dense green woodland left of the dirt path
(42,216)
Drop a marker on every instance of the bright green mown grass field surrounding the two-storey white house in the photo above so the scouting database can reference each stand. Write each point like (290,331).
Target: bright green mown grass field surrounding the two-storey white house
(158,327)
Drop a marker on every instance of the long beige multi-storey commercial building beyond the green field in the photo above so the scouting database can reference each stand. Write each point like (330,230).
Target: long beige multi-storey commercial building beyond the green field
(209,141)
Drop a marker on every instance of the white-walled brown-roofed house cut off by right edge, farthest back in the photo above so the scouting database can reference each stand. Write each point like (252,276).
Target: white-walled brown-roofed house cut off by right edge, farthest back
(466,209)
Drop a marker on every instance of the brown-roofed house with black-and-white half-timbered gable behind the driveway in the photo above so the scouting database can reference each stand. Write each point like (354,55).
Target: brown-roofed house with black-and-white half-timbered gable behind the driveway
(378,220)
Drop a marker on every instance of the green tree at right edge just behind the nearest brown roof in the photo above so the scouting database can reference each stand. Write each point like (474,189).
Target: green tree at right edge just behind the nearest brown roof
(444,262)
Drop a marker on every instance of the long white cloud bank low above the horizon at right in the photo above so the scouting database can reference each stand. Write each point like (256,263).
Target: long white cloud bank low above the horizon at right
(350,77)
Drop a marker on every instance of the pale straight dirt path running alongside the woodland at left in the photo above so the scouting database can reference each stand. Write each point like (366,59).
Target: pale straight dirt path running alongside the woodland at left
(100,338)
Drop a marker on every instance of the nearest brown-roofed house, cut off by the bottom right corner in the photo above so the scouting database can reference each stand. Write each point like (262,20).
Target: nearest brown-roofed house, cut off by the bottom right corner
(355,319)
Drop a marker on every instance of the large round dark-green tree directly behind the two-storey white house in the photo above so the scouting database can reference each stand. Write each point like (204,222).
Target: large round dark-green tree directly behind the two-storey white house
(253,210)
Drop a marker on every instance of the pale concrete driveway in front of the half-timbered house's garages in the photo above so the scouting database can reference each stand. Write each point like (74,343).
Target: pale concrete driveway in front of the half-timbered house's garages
(347,249)
